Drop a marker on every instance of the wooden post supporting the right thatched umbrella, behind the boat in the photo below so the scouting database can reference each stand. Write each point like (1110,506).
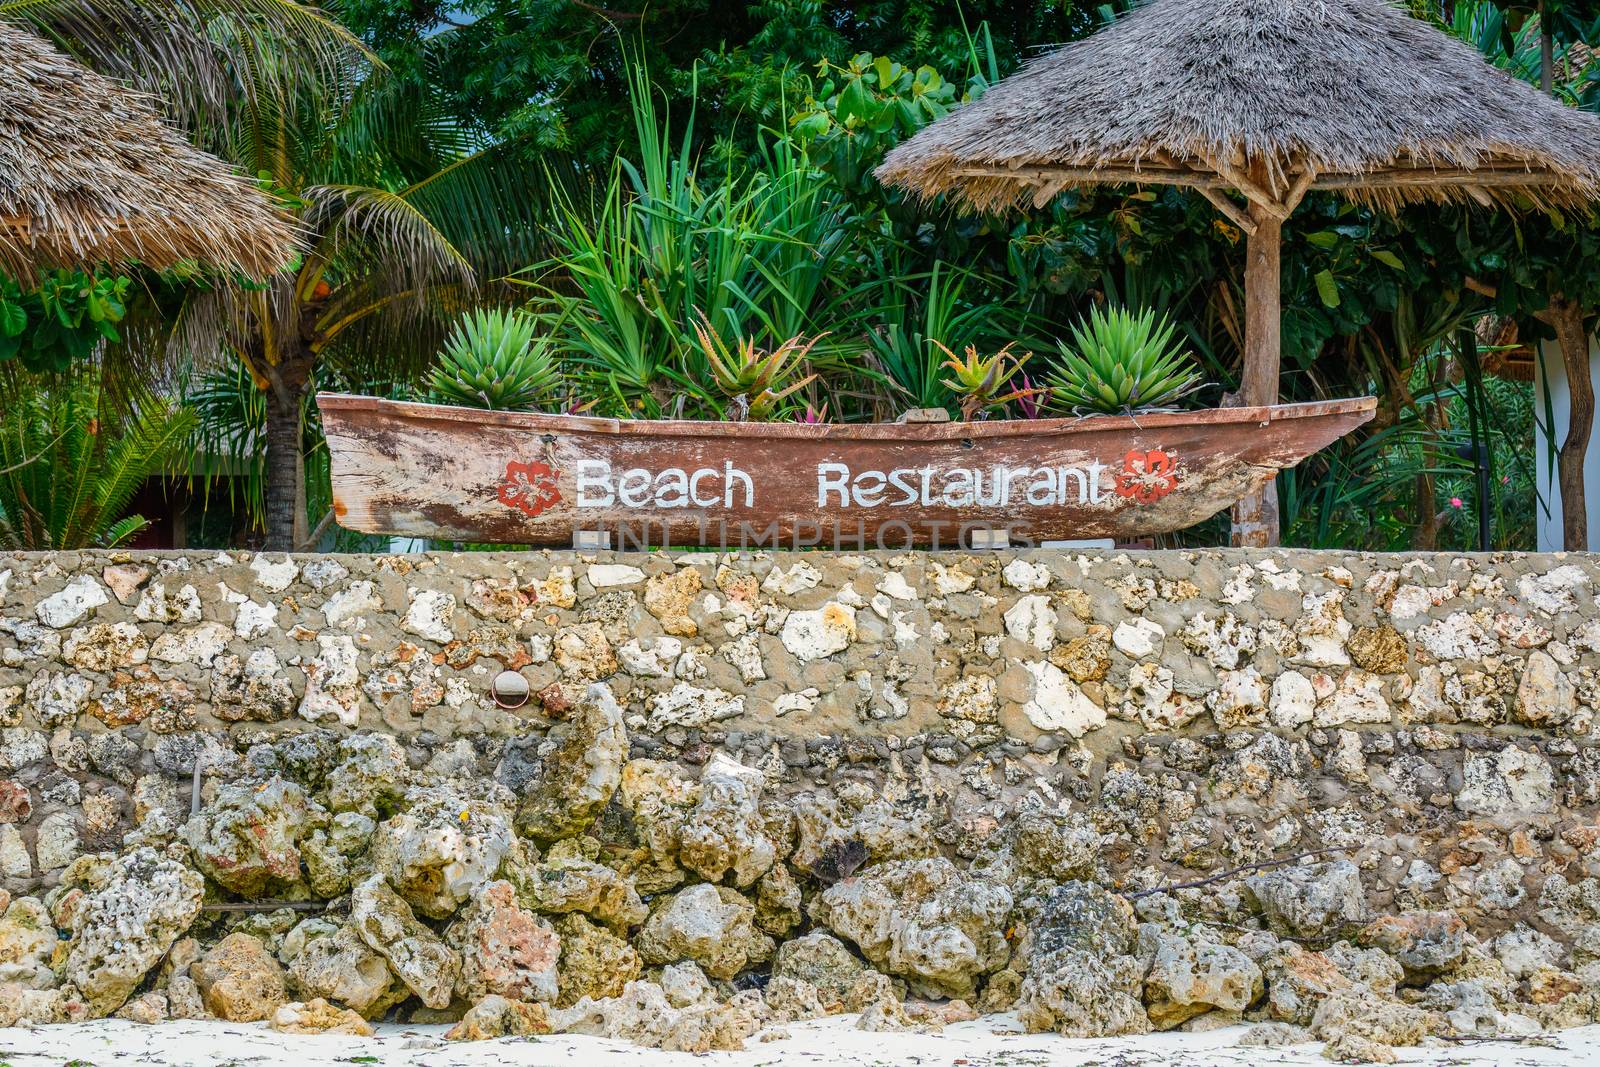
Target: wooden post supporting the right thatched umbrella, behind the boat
(1257,516)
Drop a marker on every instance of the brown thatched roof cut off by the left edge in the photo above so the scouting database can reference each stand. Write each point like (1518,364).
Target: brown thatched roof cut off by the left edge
(90,174)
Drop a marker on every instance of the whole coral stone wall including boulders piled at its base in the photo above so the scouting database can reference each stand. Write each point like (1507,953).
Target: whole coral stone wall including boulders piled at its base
(761,788)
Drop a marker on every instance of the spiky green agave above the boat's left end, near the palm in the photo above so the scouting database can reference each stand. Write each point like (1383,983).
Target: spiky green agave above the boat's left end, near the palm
(494,361)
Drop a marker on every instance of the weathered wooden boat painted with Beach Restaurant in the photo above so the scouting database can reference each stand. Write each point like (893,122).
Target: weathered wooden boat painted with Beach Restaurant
(508,478)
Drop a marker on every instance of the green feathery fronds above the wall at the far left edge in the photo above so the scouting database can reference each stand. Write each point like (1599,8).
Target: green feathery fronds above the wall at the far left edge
(71,462)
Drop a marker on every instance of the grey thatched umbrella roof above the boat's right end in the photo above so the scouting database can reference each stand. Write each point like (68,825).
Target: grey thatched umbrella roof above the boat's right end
(1260,97)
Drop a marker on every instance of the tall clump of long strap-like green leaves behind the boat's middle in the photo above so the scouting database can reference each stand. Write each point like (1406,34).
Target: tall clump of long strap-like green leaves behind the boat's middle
(655,254)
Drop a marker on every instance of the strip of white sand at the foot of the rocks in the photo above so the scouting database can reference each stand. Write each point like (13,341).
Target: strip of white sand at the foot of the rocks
(820,1044)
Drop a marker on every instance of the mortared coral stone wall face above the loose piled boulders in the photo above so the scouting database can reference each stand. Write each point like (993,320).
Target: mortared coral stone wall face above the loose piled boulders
(1204,709)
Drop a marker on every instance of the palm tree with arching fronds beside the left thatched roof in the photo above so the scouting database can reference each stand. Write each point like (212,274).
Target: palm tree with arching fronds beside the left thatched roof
(402,210)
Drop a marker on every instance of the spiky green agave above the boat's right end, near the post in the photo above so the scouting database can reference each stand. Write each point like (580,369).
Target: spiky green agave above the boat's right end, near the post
(1119,362)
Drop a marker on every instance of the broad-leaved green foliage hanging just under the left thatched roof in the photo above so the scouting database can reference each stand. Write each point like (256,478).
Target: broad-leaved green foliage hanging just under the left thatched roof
(62,321)
